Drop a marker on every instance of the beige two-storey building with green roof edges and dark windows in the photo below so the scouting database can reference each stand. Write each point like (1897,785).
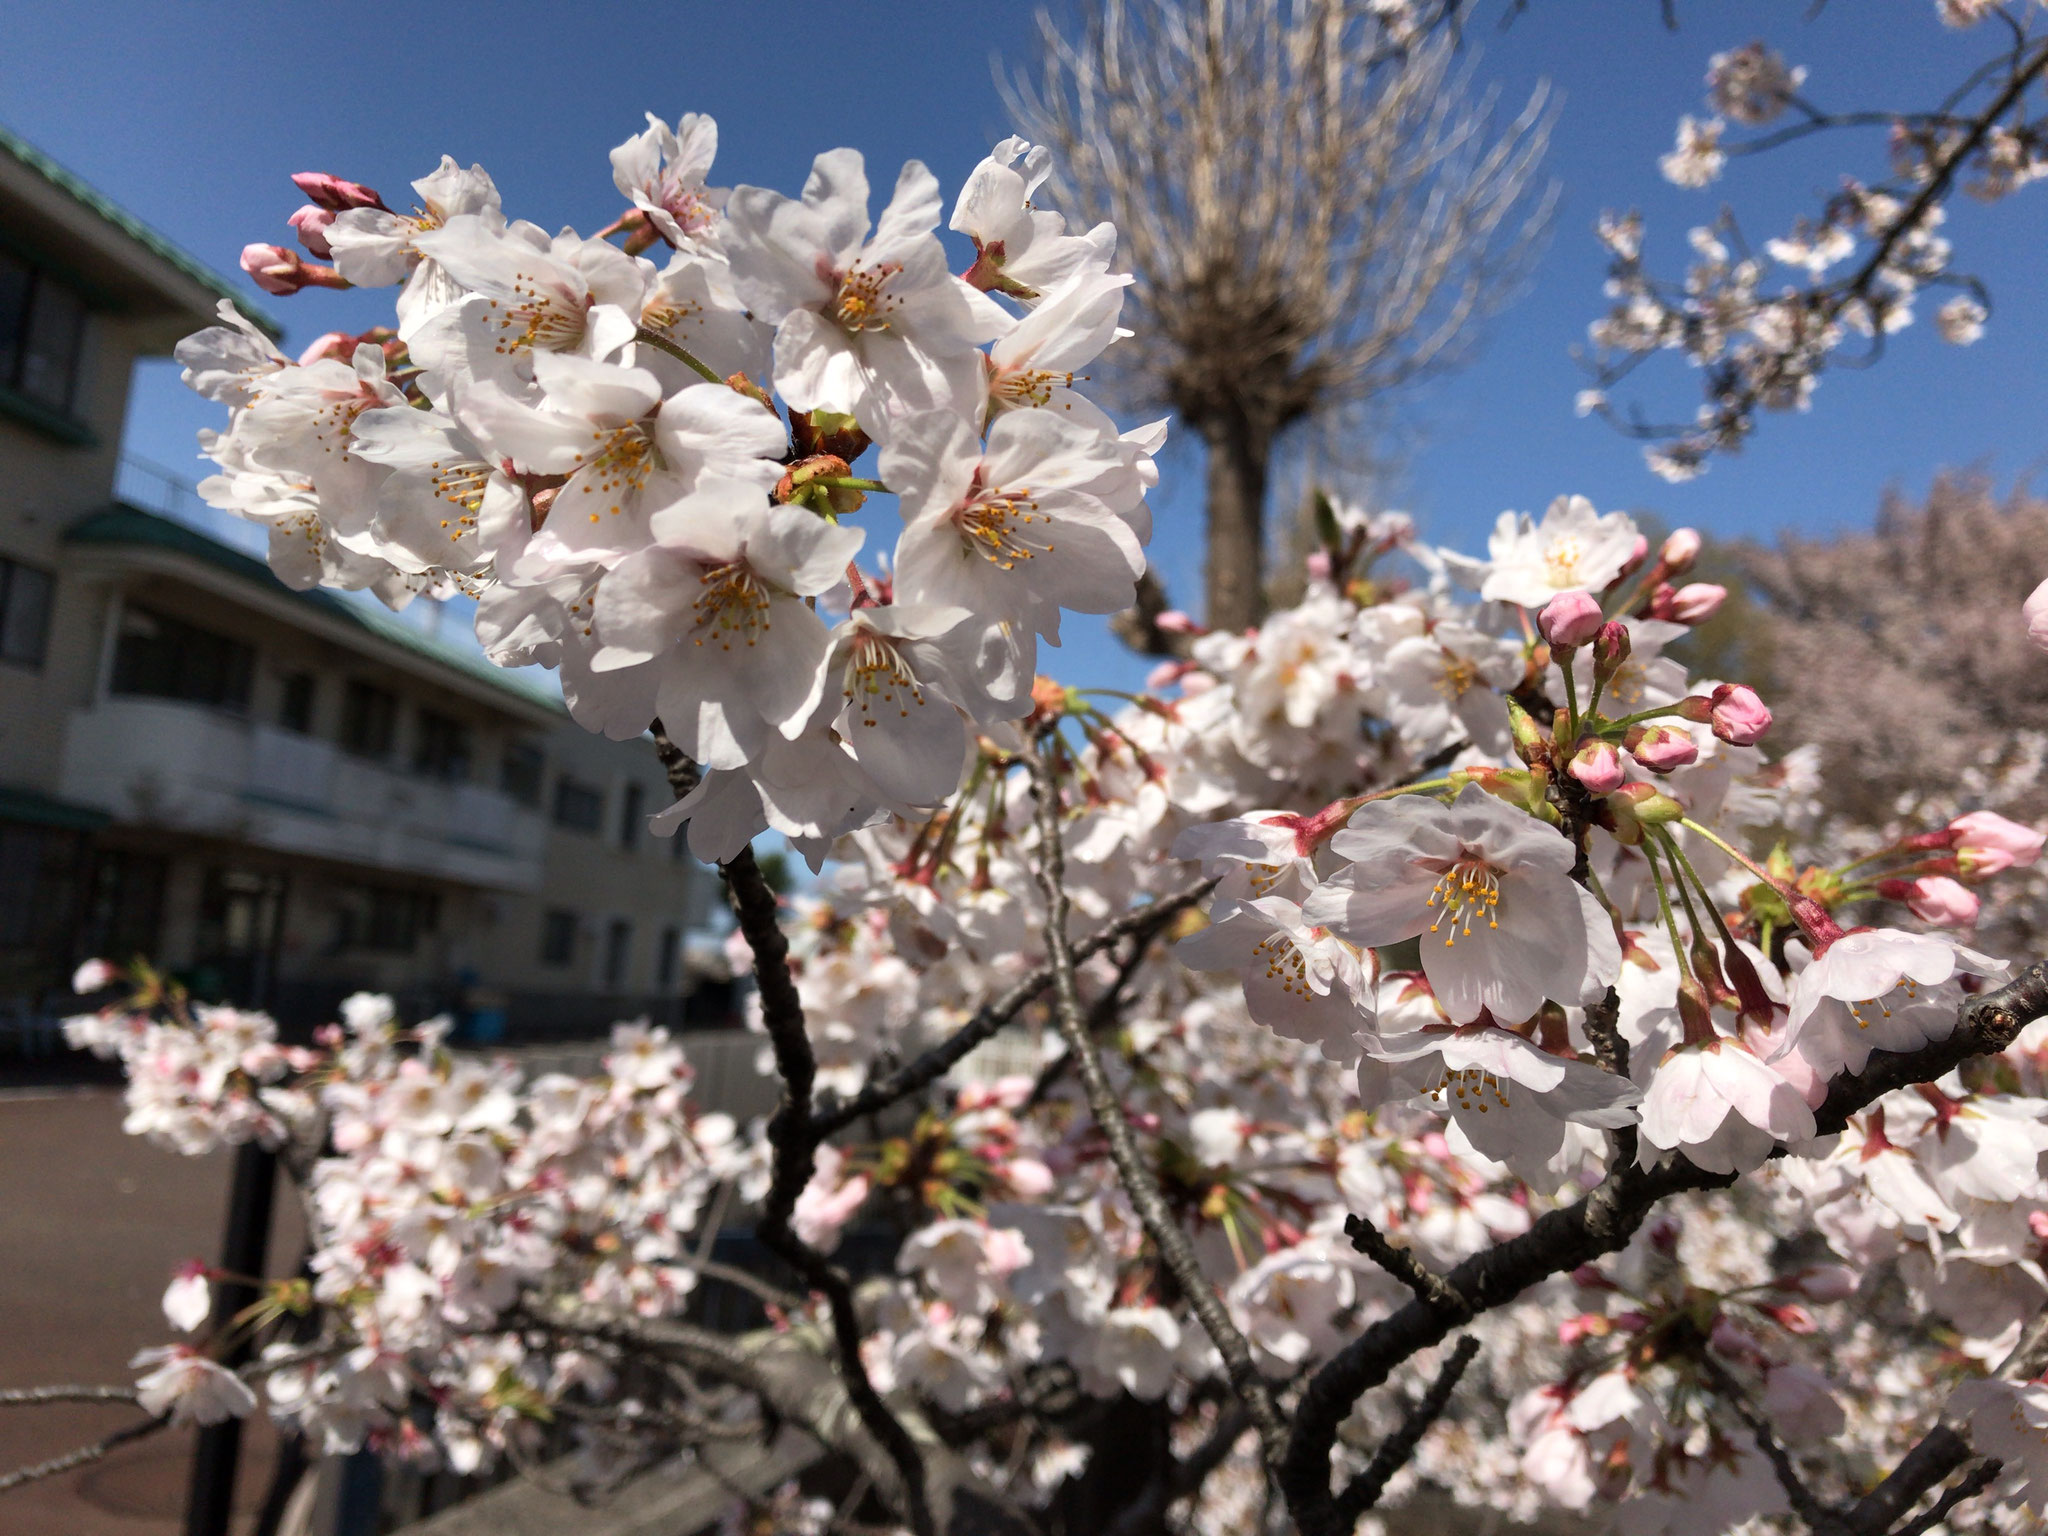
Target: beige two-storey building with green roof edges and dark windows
(280,796)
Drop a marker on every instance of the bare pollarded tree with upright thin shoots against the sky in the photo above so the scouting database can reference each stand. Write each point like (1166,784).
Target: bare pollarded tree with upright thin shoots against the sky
(1312,204)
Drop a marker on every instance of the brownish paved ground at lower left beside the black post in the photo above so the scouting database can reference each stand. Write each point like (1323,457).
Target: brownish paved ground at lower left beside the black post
(91,1228)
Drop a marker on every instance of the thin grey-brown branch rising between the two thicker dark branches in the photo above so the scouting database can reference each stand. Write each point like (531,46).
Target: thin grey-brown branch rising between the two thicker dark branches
(1132,1168)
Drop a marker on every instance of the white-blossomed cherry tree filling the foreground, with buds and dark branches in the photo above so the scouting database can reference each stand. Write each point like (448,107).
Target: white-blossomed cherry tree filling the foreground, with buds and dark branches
(1465,1080)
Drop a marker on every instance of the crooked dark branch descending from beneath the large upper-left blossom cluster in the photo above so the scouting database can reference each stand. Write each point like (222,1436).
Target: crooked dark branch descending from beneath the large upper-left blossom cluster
(794,1140)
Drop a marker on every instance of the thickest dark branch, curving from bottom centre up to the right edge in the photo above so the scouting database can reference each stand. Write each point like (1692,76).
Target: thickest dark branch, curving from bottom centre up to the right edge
(1603,1224)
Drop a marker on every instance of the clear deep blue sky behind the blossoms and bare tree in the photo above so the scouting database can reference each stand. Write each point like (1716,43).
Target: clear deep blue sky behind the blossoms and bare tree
(196,116)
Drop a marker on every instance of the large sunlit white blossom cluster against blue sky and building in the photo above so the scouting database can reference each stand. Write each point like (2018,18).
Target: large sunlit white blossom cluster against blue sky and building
(591,443)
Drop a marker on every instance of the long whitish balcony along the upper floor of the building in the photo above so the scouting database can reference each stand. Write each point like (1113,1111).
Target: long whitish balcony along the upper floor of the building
(194,769)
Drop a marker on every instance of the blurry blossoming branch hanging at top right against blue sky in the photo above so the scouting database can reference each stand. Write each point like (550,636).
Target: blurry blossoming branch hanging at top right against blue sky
(1764,325)
